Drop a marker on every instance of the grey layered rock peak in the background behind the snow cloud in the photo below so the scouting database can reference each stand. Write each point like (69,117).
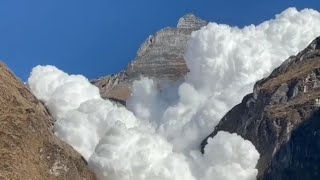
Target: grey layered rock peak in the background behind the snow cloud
(159,57)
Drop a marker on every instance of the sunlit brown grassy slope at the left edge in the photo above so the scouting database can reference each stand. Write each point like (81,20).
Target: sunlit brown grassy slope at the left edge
(28,148)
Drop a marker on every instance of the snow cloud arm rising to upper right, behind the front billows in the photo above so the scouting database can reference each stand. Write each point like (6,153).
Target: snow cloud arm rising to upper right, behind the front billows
(224,64)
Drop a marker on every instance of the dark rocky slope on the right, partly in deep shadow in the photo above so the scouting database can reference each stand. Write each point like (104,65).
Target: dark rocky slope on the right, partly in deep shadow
(281,118)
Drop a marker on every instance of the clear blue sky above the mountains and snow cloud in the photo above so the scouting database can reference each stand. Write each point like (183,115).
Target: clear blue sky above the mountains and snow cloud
(100,37)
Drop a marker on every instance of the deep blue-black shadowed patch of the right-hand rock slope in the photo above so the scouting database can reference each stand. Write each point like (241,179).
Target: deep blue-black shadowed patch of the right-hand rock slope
(299,158)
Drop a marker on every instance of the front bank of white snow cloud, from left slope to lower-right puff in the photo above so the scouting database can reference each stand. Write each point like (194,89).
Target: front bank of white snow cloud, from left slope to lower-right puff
(119,146)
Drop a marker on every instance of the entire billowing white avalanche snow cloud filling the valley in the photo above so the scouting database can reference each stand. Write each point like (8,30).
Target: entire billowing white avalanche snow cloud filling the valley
(160,138)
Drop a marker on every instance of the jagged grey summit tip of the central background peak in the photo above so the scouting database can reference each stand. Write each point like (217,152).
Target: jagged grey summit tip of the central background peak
(190,21)
